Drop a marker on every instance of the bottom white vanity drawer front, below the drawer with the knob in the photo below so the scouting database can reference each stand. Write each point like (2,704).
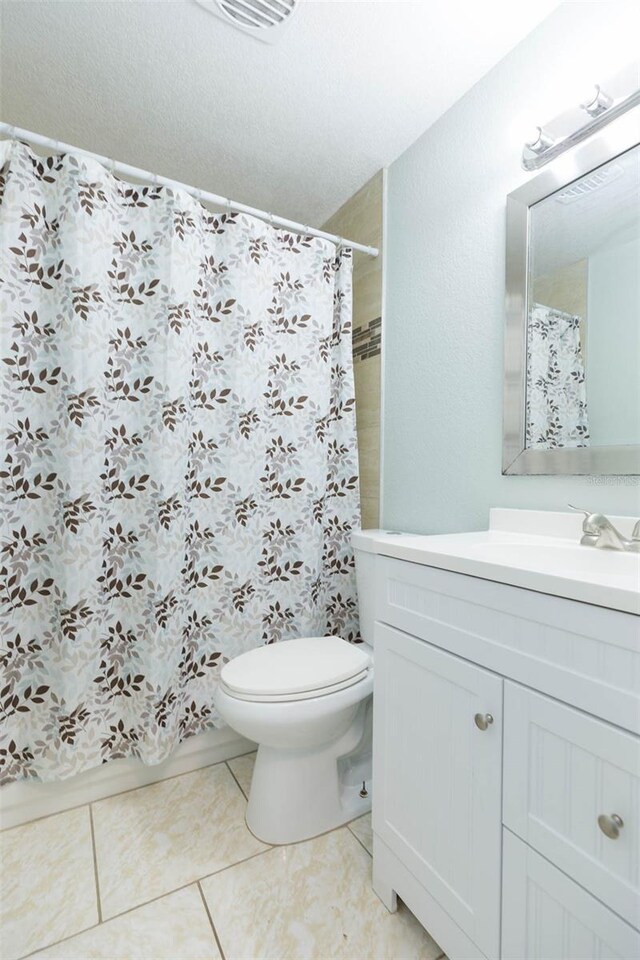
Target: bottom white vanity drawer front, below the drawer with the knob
(547,916)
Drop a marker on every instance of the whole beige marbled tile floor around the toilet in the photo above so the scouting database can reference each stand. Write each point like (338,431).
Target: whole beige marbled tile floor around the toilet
(171,872)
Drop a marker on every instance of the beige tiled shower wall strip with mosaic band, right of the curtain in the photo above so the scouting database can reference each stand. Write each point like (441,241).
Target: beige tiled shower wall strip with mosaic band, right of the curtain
(360,219)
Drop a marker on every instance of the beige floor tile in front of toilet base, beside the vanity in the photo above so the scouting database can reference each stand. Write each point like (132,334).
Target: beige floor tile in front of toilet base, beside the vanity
(311,900)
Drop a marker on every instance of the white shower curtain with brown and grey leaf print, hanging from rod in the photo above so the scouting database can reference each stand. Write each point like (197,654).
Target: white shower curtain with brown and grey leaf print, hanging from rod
(179,463)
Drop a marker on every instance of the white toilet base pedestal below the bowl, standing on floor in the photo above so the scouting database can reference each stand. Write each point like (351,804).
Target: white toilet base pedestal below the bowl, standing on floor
(298,794)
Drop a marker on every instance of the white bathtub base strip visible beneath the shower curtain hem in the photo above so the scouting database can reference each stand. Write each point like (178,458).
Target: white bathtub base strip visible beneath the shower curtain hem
(28,800)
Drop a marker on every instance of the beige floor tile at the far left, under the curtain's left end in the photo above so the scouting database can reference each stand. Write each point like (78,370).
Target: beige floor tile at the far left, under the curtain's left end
(48,882)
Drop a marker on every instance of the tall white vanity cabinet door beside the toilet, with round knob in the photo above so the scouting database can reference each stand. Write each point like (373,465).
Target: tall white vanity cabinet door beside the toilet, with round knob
(437,775)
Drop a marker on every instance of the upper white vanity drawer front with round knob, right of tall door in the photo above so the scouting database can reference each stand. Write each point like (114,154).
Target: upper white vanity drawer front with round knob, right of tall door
(572,791)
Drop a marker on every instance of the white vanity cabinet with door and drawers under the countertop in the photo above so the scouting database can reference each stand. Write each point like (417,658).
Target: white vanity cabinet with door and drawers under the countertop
(506,810)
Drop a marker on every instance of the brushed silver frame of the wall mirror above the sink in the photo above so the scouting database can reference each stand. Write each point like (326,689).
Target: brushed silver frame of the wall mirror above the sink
(620,135)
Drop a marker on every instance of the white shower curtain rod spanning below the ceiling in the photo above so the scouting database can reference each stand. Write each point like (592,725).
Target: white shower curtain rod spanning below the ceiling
(9,131)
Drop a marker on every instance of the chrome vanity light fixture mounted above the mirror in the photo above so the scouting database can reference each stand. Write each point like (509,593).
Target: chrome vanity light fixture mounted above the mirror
(583,120)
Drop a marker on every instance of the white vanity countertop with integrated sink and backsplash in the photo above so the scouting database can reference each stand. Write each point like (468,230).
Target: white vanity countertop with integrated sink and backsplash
(550,560)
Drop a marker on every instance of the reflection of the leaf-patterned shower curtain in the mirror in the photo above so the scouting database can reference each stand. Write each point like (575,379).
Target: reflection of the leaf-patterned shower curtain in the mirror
(556,402)
